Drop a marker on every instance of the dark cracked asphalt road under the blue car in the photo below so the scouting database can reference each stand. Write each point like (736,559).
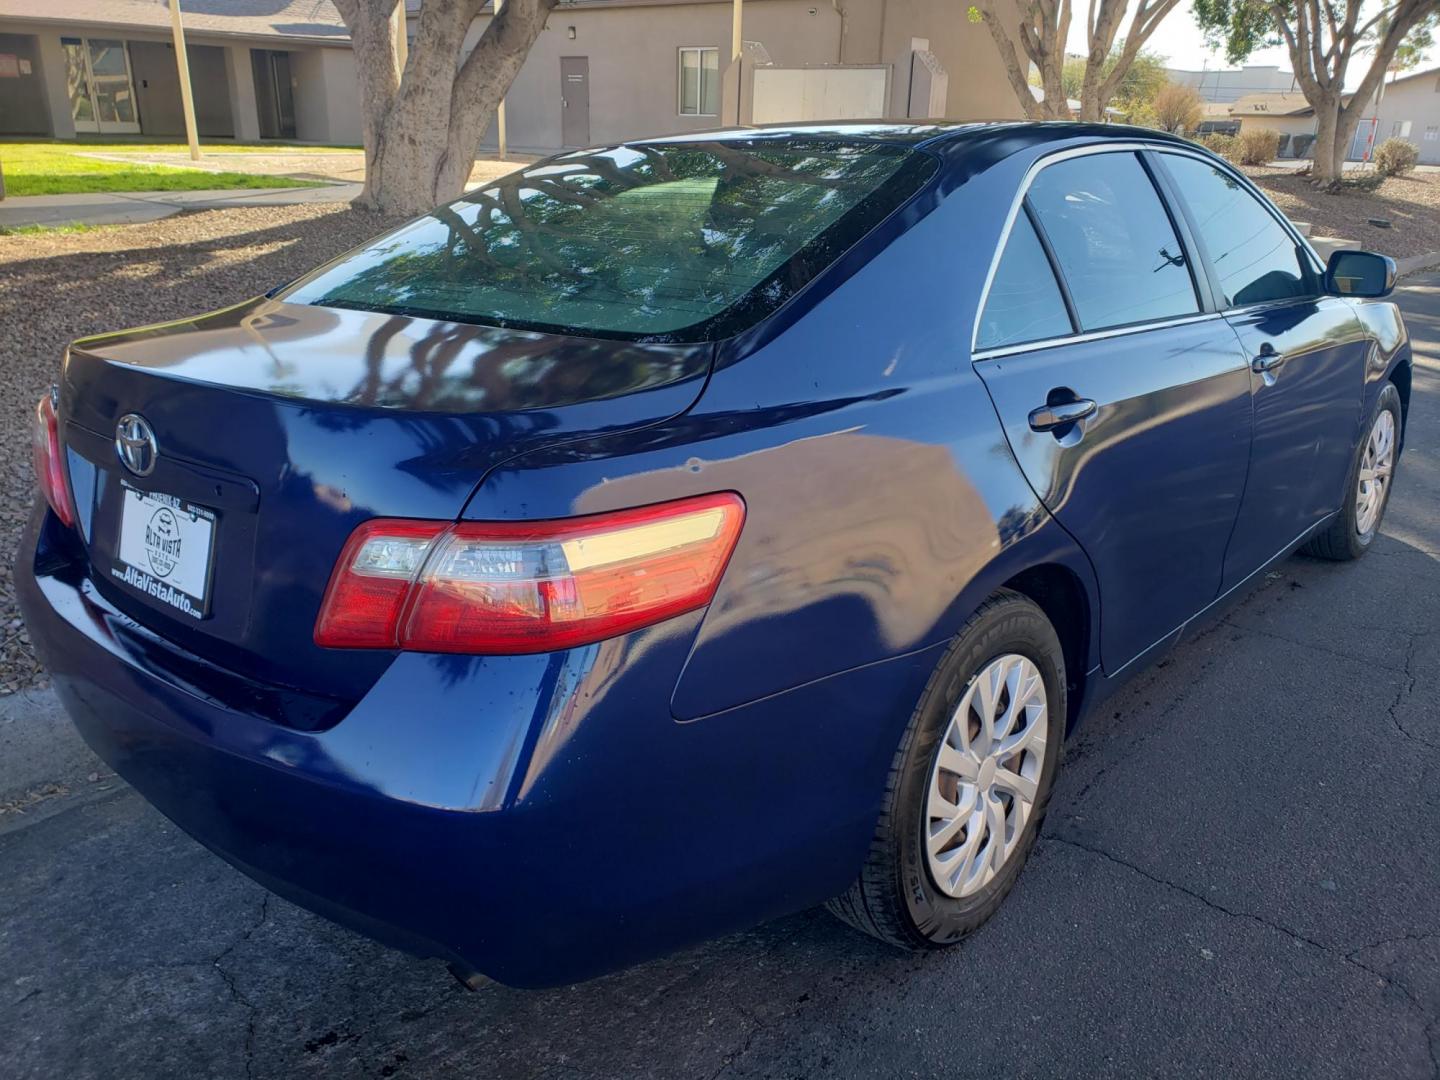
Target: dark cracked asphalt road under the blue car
(1241,876)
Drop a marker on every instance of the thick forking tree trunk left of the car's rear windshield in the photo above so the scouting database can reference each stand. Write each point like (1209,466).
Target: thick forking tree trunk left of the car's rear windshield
(423,132)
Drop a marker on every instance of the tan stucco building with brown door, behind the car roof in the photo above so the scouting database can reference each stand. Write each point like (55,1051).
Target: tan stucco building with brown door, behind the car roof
(614,70)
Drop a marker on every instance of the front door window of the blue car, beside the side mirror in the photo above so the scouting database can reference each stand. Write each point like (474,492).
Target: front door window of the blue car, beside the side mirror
(1254,256)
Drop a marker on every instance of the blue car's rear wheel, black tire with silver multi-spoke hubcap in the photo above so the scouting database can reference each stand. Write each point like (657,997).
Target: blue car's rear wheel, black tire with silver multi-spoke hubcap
(970,784)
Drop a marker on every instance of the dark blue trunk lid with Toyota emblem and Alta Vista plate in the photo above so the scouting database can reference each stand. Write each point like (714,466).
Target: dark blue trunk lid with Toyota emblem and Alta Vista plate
(282,427)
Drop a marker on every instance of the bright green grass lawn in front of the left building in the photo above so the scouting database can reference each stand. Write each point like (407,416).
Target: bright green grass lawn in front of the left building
(63,169)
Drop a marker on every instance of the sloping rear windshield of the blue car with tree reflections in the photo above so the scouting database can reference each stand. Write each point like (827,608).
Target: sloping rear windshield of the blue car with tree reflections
(672,243)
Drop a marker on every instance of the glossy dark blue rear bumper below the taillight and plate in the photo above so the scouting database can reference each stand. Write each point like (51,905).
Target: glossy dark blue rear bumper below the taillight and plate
(539,820)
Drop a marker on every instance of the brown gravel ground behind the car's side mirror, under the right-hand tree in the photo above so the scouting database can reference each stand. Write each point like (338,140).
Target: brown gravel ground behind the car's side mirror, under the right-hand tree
(1412,204)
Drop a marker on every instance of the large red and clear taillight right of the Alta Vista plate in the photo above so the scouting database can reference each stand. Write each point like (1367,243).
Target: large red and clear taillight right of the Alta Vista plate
(529,587)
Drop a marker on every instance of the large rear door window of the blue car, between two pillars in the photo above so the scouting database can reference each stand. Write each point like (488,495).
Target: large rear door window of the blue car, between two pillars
(1114,241)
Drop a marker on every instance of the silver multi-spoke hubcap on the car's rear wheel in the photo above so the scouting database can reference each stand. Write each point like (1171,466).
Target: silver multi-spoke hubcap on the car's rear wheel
(986,775)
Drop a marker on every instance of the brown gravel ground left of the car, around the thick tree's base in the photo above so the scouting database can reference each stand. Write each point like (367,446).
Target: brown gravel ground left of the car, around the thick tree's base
(58,287)
